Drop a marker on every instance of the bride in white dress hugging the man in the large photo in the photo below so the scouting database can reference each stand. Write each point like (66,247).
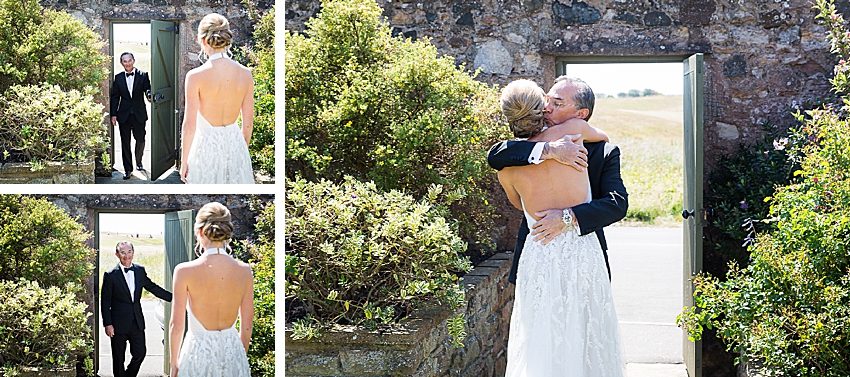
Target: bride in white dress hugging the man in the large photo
(563,321)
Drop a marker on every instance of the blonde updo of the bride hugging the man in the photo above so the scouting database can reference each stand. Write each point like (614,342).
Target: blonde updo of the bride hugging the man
(522,104)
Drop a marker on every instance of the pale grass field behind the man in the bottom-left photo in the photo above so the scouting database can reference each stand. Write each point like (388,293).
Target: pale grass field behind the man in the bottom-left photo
(149,253)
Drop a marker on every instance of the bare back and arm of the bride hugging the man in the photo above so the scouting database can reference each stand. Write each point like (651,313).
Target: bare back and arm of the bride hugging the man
(550,184)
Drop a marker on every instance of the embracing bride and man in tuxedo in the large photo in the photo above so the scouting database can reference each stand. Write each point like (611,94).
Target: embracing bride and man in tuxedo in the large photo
(565,177)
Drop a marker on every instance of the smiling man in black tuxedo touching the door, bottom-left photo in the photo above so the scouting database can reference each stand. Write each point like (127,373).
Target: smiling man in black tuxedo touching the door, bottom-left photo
(121,309)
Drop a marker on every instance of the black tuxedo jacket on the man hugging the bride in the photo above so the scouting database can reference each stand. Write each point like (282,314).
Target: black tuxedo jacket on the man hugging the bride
(609,203)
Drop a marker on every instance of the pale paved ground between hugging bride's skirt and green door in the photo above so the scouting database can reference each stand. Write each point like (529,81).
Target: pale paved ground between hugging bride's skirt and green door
(646,270)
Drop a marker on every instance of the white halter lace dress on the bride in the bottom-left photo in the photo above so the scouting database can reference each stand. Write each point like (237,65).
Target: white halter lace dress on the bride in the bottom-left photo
(206,353)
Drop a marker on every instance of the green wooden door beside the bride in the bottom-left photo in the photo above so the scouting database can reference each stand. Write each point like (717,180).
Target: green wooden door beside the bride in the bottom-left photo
(179,248)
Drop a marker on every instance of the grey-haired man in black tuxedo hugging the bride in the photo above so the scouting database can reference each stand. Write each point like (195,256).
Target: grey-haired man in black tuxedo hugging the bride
(569,98)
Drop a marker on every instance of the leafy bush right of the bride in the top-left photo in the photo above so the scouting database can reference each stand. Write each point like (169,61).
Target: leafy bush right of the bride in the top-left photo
(259,54)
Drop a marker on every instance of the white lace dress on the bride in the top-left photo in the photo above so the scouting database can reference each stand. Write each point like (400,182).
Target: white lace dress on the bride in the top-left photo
(219,155)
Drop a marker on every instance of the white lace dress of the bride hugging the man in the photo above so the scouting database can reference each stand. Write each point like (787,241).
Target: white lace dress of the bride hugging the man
(563,321)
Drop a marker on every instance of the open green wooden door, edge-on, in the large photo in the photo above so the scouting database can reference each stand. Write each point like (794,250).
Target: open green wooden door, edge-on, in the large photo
(694,212)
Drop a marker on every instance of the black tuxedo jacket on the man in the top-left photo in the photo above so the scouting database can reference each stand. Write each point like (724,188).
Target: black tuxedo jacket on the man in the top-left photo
(120,101)
